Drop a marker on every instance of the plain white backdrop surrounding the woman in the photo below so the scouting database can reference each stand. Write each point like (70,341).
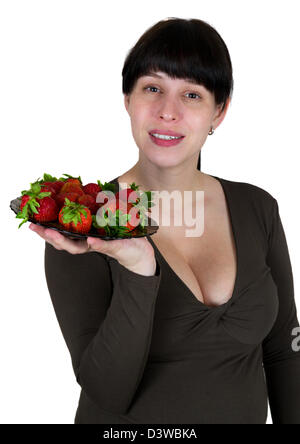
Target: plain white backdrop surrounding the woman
(62,111)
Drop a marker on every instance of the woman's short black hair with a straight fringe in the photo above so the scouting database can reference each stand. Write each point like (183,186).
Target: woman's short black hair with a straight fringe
(189,49)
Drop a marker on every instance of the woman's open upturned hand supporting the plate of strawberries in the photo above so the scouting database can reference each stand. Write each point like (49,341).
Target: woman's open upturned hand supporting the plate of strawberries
(136,254)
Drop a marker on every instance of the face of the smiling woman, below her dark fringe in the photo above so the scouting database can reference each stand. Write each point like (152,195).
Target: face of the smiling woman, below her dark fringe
(164,103)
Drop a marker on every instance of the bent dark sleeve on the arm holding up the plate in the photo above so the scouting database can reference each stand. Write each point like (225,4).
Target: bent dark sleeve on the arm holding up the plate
(106,323)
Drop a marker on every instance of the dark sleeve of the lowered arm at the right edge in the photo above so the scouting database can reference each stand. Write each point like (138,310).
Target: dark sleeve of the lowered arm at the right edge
(281,361)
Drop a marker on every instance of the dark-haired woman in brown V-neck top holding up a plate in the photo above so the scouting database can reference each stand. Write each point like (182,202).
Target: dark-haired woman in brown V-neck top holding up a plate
(173,329)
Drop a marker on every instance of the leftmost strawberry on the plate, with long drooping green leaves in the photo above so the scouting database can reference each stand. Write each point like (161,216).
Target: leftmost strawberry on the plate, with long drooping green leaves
(37,204)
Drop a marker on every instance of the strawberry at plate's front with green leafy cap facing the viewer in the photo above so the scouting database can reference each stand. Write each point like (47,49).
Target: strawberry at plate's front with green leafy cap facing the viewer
(75,217)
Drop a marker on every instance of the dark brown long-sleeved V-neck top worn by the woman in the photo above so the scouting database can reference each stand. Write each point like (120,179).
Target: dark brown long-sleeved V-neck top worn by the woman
(145,350)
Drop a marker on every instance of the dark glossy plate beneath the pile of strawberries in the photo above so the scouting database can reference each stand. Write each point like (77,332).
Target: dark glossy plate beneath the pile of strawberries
(137,232)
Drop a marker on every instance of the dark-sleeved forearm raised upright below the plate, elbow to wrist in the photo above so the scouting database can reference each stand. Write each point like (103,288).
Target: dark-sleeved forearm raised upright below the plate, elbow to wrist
(112,365)
